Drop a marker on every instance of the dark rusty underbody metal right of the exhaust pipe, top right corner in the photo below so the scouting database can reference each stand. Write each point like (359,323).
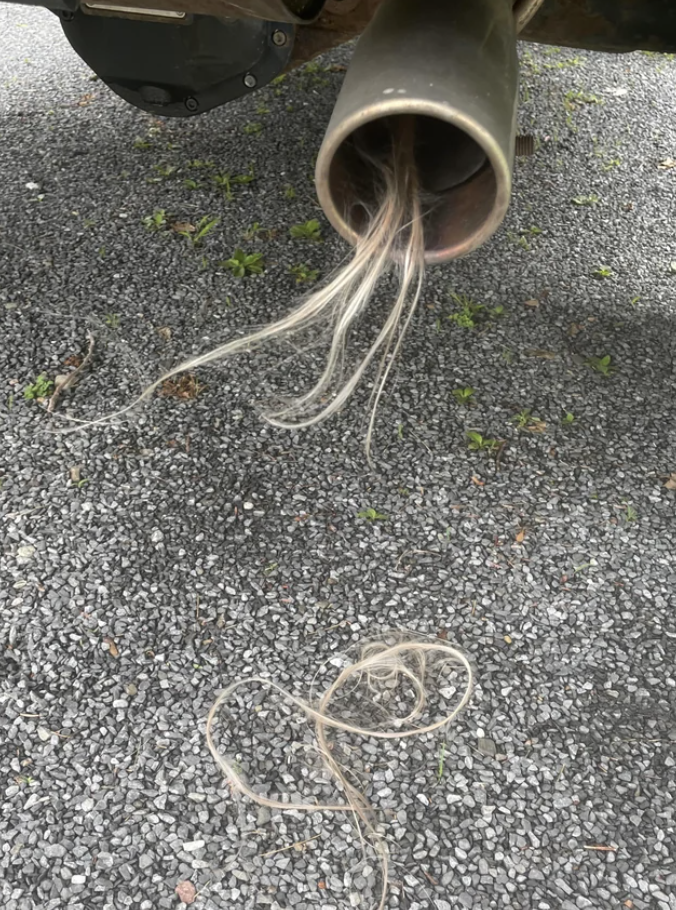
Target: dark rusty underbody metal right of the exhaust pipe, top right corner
(606,25)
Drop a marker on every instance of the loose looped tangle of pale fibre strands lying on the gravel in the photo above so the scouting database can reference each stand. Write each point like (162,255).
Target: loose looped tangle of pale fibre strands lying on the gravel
(402,664)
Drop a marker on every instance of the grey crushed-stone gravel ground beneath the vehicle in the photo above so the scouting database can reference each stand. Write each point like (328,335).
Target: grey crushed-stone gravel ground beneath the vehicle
(147,564)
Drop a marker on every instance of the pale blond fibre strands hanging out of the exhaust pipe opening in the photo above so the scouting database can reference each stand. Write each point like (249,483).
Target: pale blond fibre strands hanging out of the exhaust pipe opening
(393,239)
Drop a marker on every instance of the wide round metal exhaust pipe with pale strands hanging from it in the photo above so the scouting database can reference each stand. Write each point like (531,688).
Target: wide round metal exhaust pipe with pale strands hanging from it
(452,65)
